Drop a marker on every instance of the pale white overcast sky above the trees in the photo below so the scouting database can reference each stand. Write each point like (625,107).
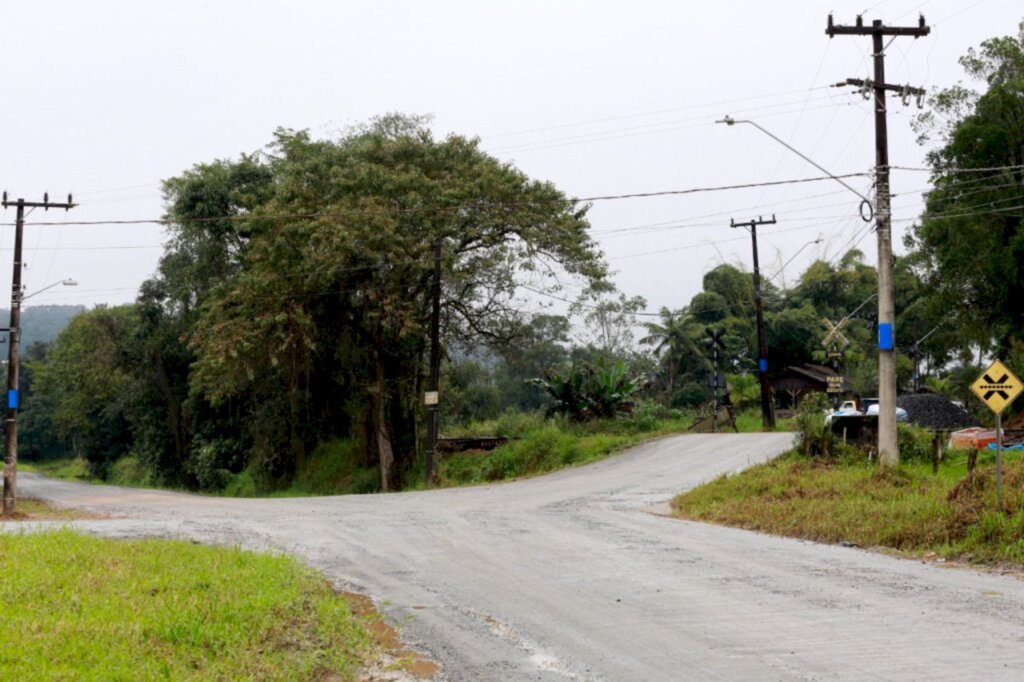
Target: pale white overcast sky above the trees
(106,100)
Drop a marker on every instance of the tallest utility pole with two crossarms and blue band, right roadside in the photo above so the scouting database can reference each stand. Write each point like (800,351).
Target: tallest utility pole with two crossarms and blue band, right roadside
(888,450)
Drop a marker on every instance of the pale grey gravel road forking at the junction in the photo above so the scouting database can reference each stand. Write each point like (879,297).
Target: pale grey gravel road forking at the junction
(577,576)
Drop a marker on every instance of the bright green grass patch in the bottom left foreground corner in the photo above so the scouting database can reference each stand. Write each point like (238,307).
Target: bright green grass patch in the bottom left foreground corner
(78,608)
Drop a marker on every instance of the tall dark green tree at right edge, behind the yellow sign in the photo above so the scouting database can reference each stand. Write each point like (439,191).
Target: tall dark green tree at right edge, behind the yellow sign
(970,238)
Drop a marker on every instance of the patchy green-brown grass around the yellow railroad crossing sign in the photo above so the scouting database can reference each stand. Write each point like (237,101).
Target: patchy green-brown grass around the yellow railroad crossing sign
(850,500)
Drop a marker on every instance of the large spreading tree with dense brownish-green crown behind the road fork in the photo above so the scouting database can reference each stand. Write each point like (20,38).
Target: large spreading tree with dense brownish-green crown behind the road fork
(323,325)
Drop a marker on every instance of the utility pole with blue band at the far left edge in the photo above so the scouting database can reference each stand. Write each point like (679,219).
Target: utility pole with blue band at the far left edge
(14,400)
